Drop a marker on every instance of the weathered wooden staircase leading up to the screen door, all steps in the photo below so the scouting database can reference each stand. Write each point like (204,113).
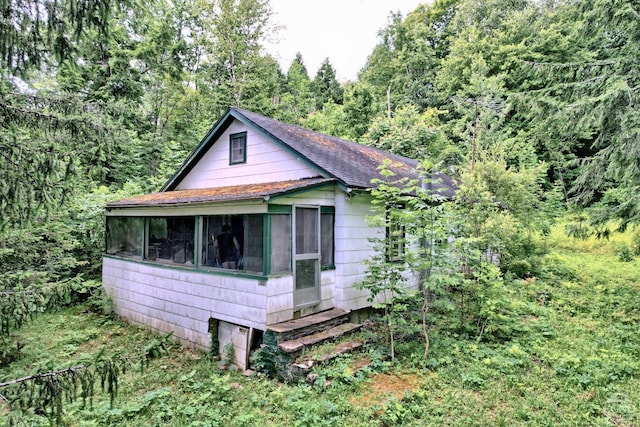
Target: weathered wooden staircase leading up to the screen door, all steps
(295,338)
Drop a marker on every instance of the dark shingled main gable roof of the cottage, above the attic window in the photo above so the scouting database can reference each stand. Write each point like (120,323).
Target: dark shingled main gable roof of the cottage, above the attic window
(351,164)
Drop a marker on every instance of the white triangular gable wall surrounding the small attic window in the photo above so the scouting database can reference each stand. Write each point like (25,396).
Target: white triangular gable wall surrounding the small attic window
(266,162)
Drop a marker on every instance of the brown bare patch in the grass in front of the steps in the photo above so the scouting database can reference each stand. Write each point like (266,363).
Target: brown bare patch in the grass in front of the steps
(383,386)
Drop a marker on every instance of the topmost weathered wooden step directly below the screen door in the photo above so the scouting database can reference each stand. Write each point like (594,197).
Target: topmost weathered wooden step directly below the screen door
(308,325)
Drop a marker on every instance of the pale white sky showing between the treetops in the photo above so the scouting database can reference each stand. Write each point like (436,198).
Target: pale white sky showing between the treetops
(345,31)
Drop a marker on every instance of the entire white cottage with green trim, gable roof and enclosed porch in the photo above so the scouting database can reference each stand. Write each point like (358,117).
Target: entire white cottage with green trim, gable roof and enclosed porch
(264,222)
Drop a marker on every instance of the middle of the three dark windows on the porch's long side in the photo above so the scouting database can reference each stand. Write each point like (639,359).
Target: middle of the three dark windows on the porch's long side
(170,240)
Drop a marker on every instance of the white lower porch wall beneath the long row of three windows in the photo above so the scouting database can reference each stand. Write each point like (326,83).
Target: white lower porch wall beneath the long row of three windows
(182,301)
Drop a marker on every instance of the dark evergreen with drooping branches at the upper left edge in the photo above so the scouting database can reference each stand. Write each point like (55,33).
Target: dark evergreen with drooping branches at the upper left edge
(52,144)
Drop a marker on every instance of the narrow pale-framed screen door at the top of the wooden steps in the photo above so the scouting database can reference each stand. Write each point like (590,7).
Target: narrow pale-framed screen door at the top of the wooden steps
(306,249)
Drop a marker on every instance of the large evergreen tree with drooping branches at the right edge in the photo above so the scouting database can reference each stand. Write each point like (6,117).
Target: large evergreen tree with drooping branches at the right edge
(596,101)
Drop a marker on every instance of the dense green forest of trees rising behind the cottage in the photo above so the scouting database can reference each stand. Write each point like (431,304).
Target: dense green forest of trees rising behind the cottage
(531,104)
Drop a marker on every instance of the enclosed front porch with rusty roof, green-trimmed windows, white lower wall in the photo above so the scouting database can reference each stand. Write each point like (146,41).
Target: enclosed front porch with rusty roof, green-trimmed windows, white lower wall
(163,265)
